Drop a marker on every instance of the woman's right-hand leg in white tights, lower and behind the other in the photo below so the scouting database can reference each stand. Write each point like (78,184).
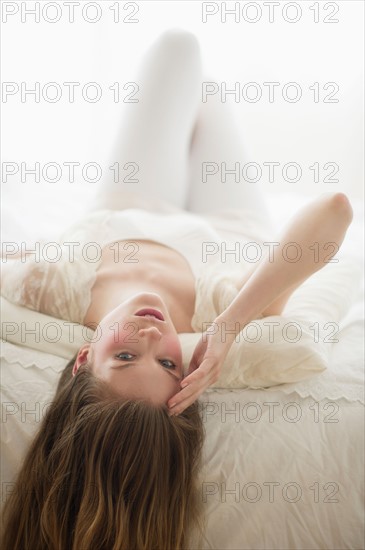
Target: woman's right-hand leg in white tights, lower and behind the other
(217,163)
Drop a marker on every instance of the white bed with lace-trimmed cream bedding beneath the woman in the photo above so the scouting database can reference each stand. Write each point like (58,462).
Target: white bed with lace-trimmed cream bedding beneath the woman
(284,465)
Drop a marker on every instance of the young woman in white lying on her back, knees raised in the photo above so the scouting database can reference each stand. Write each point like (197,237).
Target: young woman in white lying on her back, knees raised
(115,463)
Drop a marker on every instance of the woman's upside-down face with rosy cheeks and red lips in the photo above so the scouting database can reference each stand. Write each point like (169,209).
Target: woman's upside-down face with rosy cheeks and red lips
(140,356)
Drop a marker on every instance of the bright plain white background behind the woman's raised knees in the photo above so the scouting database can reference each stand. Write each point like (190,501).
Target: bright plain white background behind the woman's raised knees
(305,132)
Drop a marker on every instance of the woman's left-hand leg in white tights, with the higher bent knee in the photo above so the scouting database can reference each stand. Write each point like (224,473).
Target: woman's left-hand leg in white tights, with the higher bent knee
(155,135)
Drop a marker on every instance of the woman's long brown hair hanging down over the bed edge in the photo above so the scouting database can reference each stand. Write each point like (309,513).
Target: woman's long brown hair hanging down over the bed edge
(106,473)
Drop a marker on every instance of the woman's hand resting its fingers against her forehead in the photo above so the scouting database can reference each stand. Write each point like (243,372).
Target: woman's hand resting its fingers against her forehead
(204,368)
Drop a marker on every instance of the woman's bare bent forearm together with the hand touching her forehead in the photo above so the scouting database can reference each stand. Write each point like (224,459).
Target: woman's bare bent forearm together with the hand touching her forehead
(310,240)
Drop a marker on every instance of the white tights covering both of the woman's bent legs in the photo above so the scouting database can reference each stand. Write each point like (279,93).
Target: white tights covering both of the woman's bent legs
(169,133)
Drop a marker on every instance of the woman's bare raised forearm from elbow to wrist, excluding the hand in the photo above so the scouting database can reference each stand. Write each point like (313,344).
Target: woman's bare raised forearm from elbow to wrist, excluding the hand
(307,244)
